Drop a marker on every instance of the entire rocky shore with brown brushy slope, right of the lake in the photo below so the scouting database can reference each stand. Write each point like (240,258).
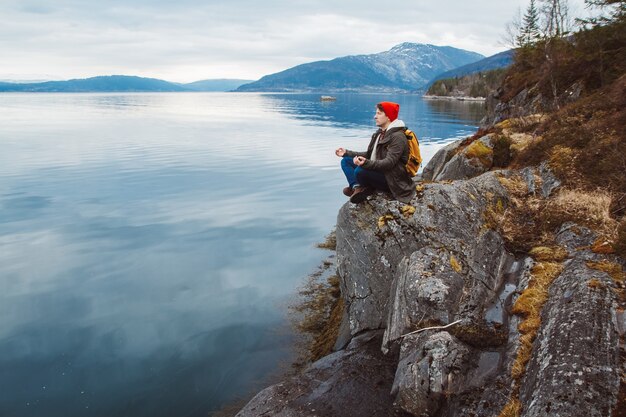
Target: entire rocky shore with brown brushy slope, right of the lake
(500,290)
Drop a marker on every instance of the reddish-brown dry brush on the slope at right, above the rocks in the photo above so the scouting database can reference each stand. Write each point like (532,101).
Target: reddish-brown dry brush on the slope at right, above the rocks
(584,144)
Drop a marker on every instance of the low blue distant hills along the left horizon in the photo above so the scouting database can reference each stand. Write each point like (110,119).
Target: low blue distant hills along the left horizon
(120,83)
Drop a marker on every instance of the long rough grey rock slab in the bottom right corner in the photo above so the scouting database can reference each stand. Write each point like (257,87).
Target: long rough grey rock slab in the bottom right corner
(575,367)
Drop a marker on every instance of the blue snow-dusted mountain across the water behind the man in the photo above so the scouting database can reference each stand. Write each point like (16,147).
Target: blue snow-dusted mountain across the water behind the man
(405,67)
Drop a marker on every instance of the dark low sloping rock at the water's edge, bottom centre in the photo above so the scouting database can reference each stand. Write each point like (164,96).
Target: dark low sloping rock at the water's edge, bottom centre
(353,382)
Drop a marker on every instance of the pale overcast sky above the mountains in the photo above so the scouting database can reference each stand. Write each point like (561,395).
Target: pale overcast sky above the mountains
(189,40)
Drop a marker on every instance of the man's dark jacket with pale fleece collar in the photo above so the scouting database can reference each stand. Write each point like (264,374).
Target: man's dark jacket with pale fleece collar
(392,153)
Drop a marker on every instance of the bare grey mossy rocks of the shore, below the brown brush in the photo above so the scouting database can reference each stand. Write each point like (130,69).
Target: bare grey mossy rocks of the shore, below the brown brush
(441,260)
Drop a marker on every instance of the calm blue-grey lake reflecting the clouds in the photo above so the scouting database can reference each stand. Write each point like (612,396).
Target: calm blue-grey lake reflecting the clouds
(149,243)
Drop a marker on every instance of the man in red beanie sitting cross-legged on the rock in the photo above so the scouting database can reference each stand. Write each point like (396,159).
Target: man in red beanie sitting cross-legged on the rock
(382,167)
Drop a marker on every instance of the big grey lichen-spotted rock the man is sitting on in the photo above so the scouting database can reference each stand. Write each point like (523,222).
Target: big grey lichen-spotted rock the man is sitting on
(375,240)
